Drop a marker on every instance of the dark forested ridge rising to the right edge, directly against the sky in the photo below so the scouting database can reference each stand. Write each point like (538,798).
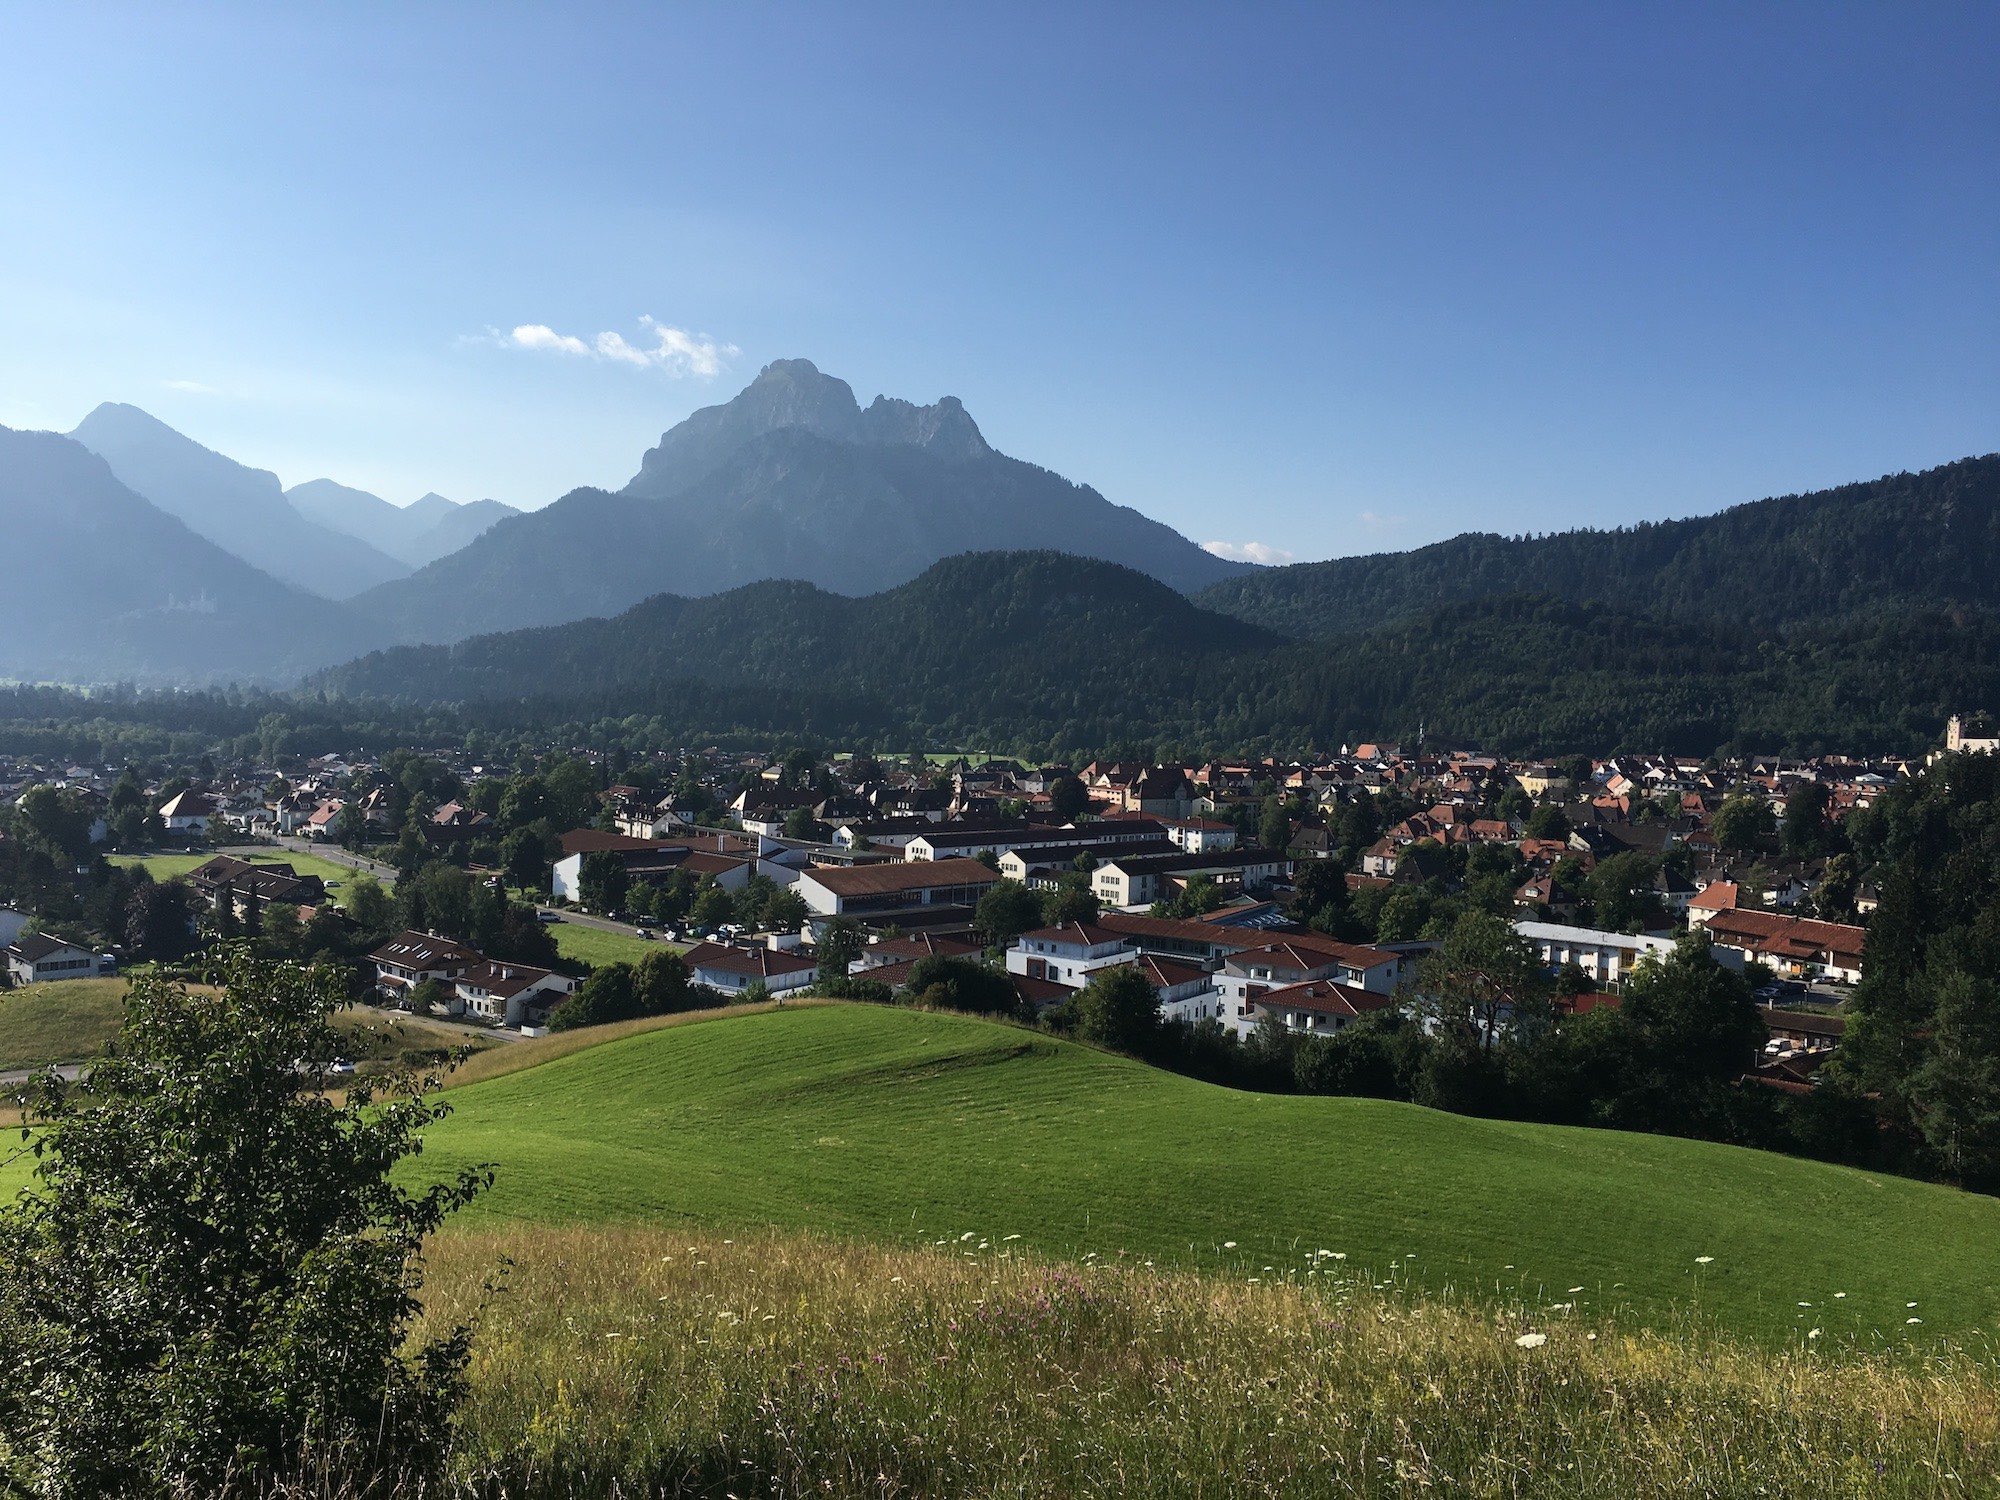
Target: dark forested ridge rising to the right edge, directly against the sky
(1899,543)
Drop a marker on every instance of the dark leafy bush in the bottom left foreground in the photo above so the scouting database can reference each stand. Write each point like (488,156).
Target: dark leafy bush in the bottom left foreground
(213,1283)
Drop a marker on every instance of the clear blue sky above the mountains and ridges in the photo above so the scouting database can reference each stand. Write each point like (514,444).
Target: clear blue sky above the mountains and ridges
(1325,279)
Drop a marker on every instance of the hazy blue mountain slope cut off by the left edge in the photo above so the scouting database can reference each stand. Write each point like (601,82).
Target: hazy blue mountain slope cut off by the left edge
(109,587)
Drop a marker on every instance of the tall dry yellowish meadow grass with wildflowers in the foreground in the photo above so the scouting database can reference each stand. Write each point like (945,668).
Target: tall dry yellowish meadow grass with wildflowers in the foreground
(637,1363)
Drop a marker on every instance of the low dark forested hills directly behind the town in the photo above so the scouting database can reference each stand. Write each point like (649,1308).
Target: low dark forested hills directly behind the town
(1051,655)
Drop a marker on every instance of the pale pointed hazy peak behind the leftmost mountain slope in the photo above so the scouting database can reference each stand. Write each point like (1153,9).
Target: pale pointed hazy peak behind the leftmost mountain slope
(235,507)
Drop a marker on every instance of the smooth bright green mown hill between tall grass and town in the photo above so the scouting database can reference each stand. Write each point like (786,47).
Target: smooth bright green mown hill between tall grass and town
(909,1127)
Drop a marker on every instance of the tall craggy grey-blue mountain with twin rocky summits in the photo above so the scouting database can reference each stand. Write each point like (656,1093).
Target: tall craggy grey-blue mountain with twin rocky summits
(793,479)
